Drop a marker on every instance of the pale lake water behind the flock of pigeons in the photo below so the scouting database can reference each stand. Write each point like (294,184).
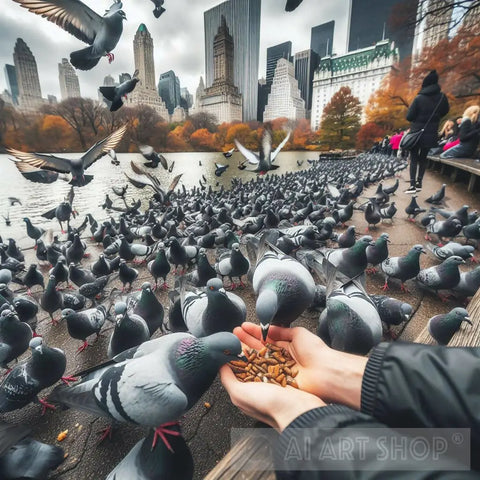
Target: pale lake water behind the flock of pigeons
(38,198)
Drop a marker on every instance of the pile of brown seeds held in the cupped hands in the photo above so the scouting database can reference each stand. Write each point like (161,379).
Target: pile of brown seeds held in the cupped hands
(271,364)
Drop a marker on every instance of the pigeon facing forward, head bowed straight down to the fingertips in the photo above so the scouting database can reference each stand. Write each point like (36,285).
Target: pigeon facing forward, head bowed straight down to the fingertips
(284,288)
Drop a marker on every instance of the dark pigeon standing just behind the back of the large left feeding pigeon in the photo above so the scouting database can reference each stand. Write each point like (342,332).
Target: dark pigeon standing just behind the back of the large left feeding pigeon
(130,331)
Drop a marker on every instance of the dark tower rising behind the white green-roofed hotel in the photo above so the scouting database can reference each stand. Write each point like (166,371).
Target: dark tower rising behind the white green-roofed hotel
(375,20)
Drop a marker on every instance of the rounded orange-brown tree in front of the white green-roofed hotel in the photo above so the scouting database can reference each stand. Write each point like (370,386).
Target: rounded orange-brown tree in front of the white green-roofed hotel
(341,120)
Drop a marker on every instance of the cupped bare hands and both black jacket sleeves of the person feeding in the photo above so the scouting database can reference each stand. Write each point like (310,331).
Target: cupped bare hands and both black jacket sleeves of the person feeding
(348,410)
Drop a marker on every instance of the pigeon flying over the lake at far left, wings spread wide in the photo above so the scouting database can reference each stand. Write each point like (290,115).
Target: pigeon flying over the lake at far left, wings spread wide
(64,165)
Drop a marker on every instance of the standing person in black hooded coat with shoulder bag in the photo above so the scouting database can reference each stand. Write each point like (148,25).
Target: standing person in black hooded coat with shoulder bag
(430,103)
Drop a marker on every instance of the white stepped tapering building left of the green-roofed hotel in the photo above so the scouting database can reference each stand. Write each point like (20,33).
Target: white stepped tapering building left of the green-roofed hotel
(284,99)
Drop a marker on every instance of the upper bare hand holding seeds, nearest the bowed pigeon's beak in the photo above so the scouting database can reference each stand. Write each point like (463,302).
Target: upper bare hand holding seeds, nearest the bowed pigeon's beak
(333,376)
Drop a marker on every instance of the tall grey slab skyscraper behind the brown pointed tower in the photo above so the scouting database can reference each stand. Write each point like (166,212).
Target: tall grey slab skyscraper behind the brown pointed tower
(243,20)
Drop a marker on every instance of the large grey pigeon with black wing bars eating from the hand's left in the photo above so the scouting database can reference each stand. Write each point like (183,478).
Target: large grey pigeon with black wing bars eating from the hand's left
(155,383)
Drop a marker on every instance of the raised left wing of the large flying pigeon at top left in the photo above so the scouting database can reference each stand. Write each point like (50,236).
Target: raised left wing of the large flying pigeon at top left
(71,15)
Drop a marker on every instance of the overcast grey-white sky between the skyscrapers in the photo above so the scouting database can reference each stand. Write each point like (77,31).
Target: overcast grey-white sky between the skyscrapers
(178,38)
